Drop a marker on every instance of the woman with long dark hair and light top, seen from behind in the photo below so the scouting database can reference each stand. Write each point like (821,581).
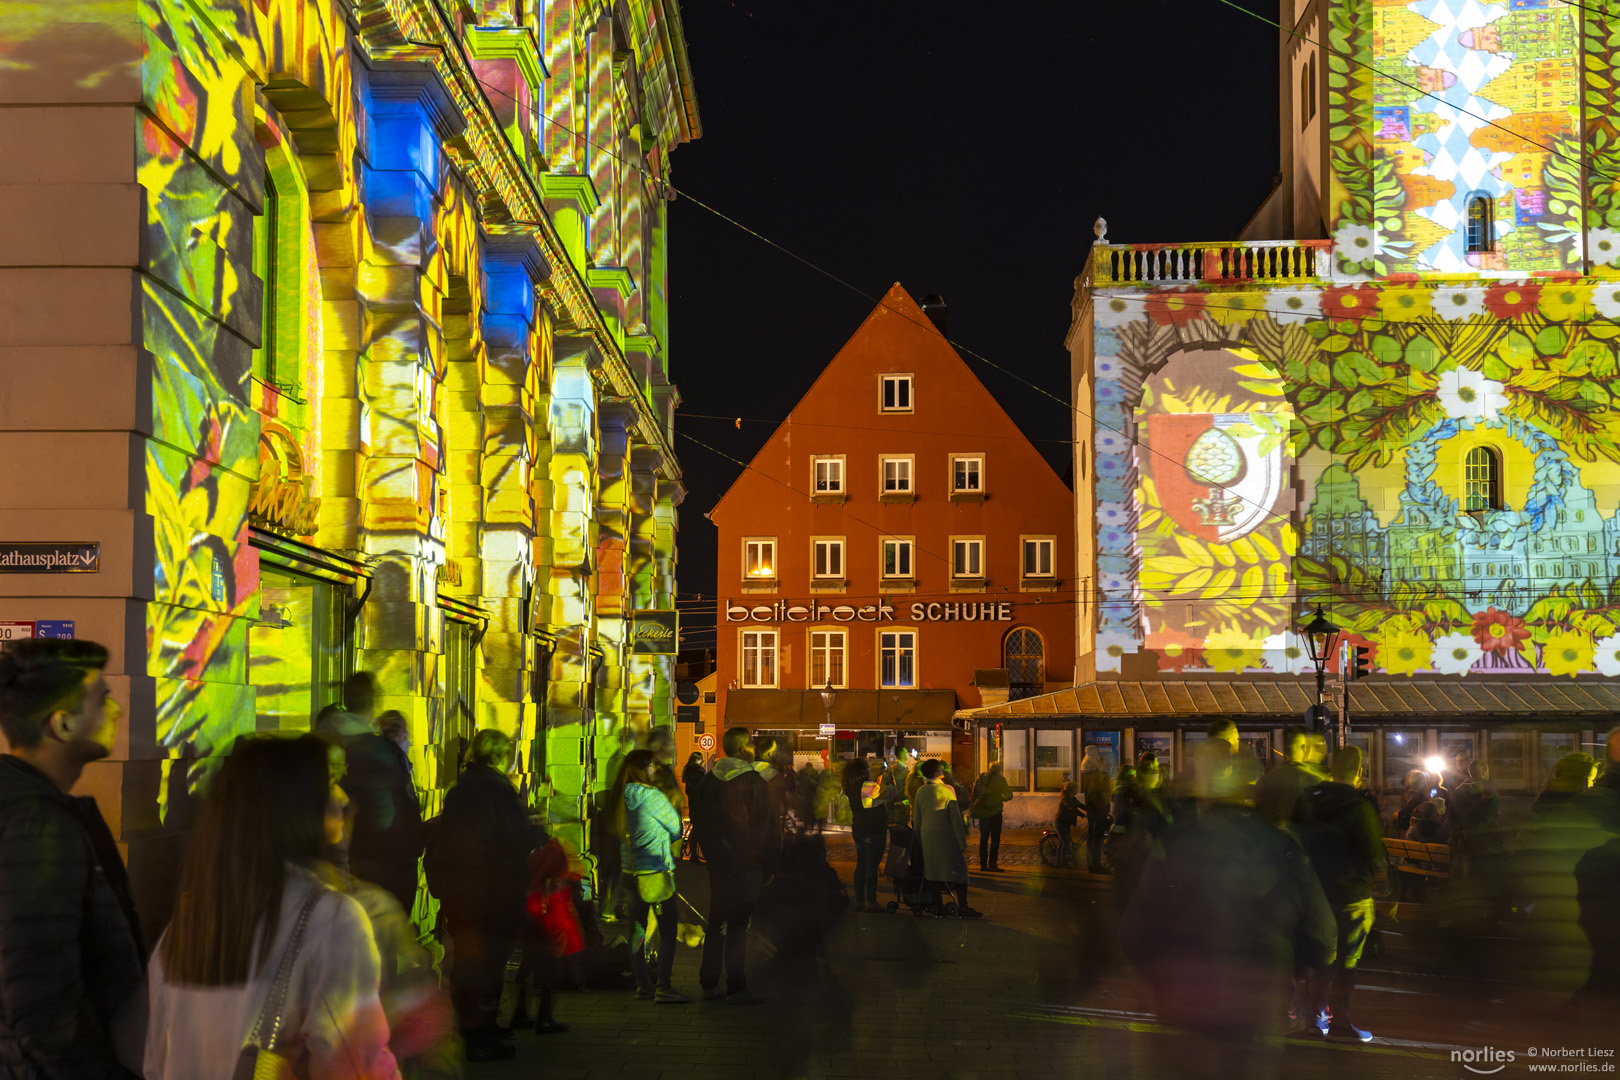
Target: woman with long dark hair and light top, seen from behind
(247,885)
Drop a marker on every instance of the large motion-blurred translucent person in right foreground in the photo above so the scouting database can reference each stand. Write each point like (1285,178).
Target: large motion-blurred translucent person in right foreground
(1219,925)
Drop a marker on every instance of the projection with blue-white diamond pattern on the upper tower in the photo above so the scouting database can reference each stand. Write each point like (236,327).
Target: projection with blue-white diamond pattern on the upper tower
(1412,147)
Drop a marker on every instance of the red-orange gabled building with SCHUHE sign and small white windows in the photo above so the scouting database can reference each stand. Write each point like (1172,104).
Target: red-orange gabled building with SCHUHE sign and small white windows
(903,543)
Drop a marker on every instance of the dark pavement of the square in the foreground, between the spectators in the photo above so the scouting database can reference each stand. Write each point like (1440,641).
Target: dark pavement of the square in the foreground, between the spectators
(1033,990)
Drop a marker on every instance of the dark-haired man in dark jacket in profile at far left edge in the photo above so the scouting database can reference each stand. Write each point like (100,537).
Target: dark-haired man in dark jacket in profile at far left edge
(70,951)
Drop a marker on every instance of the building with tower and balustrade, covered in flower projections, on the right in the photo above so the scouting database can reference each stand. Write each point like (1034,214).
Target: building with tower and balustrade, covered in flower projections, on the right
(1392,399)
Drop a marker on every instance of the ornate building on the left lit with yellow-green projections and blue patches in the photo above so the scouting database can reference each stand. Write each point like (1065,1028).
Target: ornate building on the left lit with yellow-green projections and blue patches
(341,328)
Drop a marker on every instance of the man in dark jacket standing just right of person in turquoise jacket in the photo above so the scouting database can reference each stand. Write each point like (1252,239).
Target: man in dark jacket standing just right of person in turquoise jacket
(733,822)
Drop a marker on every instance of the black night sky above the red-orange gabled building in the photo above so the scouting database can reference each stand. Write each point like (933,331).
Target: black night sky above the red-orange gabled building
(957,148)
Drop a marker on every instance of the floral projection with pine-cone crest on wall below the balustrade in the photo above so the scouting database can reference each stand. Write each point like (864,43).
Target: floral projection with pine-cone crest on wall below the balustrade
(1373,401)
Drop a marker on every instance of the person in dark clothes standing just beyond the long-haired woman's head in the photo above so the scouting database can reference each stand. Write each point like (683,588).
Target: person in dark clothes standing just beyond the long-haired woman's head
(388,831)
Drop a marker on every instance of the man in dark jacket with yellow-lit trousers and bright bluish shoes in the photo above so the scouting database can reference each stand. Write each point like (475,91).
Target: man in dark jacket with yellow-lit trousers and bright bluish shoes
(1342,835)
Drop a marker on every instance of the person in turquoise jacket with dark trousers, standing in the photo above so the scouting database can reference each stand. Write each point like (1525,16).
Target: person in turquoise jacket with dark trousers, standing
(650,825)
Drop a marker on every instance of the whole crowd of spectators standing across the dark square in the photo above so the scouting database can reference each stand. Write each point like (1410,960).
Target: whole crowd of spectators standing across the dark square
(1247,898)
